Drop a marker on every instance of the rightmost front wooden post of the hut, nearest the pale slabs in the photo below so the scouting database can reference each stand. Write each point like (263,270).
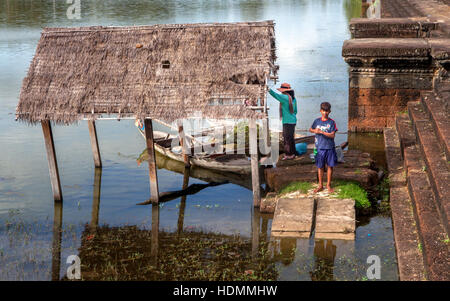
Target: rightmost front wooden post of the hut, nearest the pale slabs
(254,162)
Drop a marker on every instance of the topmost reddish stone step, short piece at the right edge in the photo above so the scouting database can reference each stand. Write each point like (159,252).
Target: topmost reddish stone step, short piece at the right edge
(435,107)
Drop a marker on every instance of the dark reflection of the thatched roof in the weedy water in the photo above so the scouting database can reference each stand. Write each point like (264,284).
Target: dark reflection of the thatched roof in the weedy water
(127,253)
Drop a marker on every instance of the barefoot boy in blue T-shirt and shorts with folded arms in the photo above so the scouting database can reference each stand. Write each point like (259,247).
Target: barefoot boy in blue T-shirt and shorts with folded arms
(325,130)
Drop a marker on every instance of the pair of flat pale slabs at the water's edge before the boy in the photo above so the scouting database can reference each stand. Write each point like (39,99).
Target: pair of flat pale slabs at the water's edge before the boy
(329,218)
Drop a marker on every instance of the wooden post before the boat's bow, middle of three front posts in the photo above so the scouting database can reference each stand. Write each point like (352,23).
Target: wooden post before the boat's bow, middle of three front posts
(152,169)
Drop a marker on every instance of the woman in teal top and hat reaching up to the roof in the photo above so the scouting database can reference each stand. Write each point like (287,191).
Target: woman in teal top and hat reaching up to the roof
(288,112)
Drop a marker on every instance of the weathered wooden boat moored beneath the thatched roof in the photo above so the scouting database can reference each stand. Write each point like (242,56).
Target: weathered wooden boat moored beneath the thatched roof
(232,163)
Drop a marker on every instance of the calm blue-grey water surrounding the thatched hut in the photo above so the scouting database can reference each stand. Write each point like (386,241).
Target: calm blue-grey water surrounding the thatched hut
(309,37)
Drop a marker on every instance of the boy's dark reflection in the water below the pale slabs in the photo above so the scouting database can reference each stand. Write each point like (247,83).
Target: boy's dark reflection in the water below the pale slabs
(324,264)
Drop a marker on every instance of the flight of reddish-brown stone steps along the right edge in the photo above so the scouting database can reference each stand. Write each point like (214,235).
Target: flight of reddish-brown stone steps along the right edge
(423,143)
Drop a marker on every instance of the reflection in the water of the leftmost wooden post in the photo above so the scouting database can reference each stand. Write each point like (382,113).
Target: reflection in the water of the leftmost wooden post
(56,241)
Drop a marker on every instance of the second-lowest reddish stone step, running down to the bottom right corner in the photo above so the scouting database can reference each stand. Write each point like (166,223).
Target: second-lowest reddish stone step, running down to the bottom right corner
(434,239)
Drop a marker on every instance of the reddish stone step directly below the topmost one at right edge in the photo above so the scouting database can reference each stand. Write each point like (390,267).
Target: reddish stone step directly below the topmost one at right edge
(436,164)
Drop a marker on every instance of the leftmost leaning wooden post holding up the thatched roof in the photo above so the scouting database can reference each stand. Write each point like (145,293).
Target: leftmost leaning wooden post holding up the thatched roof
(51,158)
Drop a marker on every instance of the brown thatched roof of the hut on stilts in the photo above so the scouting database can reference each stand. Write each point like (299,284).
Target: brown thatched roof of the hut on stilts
(161,71)
